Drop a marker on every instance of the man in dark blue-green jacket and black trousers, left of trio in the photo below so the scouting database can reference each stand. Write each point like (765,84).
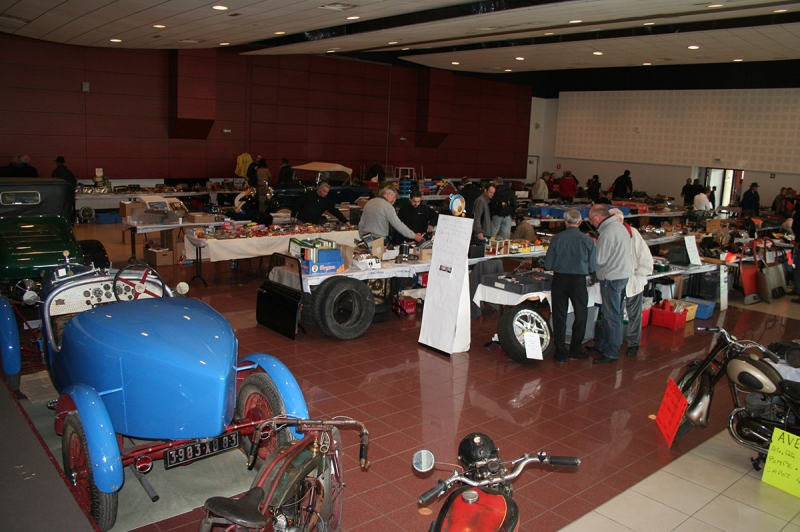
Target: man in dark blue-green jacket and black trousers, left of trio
(571,256)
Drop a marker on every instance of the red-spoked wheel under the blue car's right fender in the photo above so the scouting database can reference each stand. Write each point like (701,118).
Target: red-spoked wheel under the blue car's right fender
(270,403)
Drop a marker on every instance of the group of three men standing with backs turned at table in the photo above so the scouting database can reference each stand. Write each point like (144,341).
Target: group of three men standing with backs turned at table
(621,261)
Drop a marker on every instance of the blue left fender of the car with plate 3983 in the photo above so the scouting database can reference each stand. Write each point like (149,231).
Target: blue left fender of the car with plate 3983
(100,436)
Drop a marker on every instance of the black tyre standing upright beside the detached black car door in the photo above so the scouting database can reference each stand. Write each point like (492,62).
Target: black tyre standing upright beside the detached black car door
(361,312)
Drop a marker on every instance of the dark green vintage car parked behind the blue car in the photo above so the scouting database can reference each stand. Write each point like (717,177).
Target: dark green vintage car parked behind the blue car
(36,232)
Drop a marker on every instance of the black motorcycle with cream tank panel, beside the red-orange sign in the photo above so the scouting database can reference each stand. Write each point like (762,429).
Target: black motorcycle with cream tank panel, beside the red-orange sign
(762,398)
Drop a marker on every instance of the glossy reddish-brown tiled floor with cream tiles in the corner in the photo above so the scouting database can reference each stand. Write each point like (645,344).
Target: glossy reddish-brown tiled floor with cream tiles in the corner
(411,397)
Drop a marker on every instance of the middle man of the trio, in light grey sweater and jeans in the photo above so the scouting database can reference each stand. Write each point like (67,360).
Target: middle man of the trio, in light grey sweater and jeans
(613,271)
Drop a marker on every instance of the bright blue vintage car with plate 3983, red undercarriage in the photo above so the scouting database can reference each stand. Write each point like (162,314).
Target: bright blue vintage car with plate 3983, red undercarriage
(131,358)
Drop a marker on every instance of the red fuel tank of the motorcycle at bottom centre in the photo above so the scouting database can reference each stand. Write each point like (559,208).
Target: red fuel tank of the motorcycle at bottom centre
(468,509)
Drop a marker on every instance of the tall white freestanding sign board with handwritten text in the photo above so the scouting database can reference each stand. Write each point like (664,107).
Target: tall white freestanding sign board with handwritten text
(445,320)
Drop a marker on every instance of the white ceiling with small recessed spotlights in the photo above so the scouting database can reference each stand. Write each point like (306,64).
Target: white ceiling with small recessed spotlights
(95,22)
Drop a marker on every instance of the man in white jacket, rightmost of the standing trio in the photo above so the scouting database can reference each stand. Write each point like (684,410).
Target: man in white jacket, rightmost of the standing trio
(642,266)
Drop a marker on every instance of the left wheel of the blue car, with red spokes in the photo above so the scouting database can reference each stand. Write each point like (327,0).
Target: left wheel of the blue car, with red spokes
(102,507)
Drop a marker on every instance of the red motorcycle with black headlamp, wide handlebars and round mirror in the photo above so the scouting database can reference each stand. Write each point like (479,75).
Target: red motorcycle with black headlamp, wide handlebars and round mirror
(483,502)
